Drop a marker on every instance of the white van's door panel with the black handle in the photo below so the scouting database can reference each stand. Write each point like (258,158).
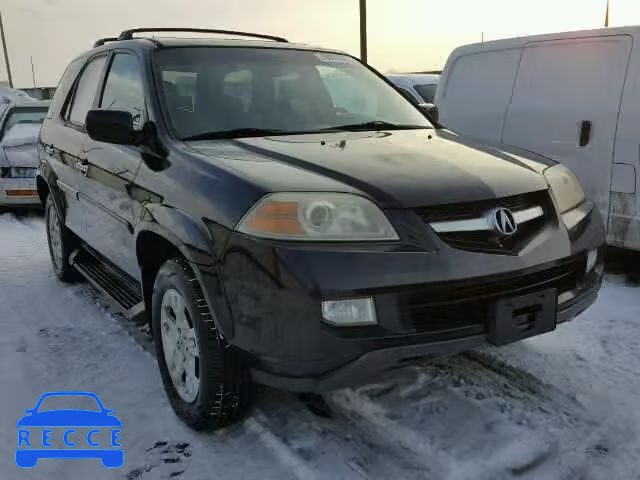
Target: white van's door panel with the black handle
(565,105)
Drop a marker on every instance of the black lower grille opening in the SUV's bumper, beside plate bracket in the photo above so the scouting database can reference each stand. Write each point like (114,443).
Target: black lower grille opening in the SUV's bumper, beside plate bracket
(466,305)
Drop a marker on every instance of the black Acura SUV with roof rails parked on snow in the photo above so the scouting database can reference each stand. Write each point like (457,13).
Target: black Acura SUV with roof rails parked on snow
(282,214)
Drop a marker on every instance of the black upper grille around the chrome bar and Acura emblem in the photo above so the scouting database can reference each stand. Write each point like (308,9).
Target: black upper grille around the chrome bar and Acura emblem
(486,241)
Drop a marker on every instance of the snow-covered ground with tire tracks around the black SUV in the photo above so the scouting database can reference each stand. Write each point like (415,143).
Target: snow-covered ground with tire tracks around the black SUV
(560,406)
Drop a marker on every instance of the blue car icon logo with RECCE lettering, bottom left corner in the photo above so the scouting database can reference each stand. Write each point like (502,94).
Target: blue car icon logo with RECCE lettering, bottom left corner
(83,433)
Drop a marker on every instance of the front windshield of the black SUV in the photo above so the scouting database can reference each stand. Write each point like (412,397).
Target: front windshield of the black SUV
(223,89)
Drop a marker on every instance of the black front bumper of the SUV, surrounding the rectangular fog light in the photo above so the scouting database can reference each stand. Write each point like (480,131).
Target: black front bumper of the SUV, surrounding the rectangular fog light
(274,292)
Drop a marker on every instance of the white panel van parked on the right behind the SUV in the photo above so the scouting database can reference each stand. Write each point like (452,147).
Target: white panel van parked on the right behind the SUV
(573,97)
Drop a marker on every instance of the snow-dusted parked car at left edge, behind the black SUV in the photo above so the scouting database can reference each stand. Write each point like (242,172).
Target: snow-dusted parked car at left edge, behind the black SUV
(19,130)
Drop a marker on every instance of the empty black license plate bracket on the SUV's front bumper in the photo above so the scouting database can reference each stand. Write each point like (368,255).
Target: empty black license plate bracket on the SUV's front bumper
(522,317)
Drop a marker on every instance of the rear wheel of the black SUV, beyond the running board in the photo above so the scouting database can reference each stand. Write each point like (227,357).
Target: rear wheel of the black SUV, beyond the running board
(68,242)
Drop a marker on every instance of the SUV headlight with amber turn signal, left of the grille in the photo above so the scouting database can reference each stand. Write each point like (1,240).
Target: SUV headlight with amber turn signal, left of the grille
(317,217)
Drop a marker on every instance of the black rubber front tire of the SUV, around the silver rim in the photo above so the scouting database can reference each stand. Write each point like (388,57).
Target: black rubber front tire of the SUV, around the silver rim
(225,391)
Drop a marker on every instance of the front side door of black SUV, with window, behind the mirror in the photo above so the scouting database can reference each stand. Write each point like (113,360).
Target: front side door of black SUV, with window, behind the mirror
(112,168)
